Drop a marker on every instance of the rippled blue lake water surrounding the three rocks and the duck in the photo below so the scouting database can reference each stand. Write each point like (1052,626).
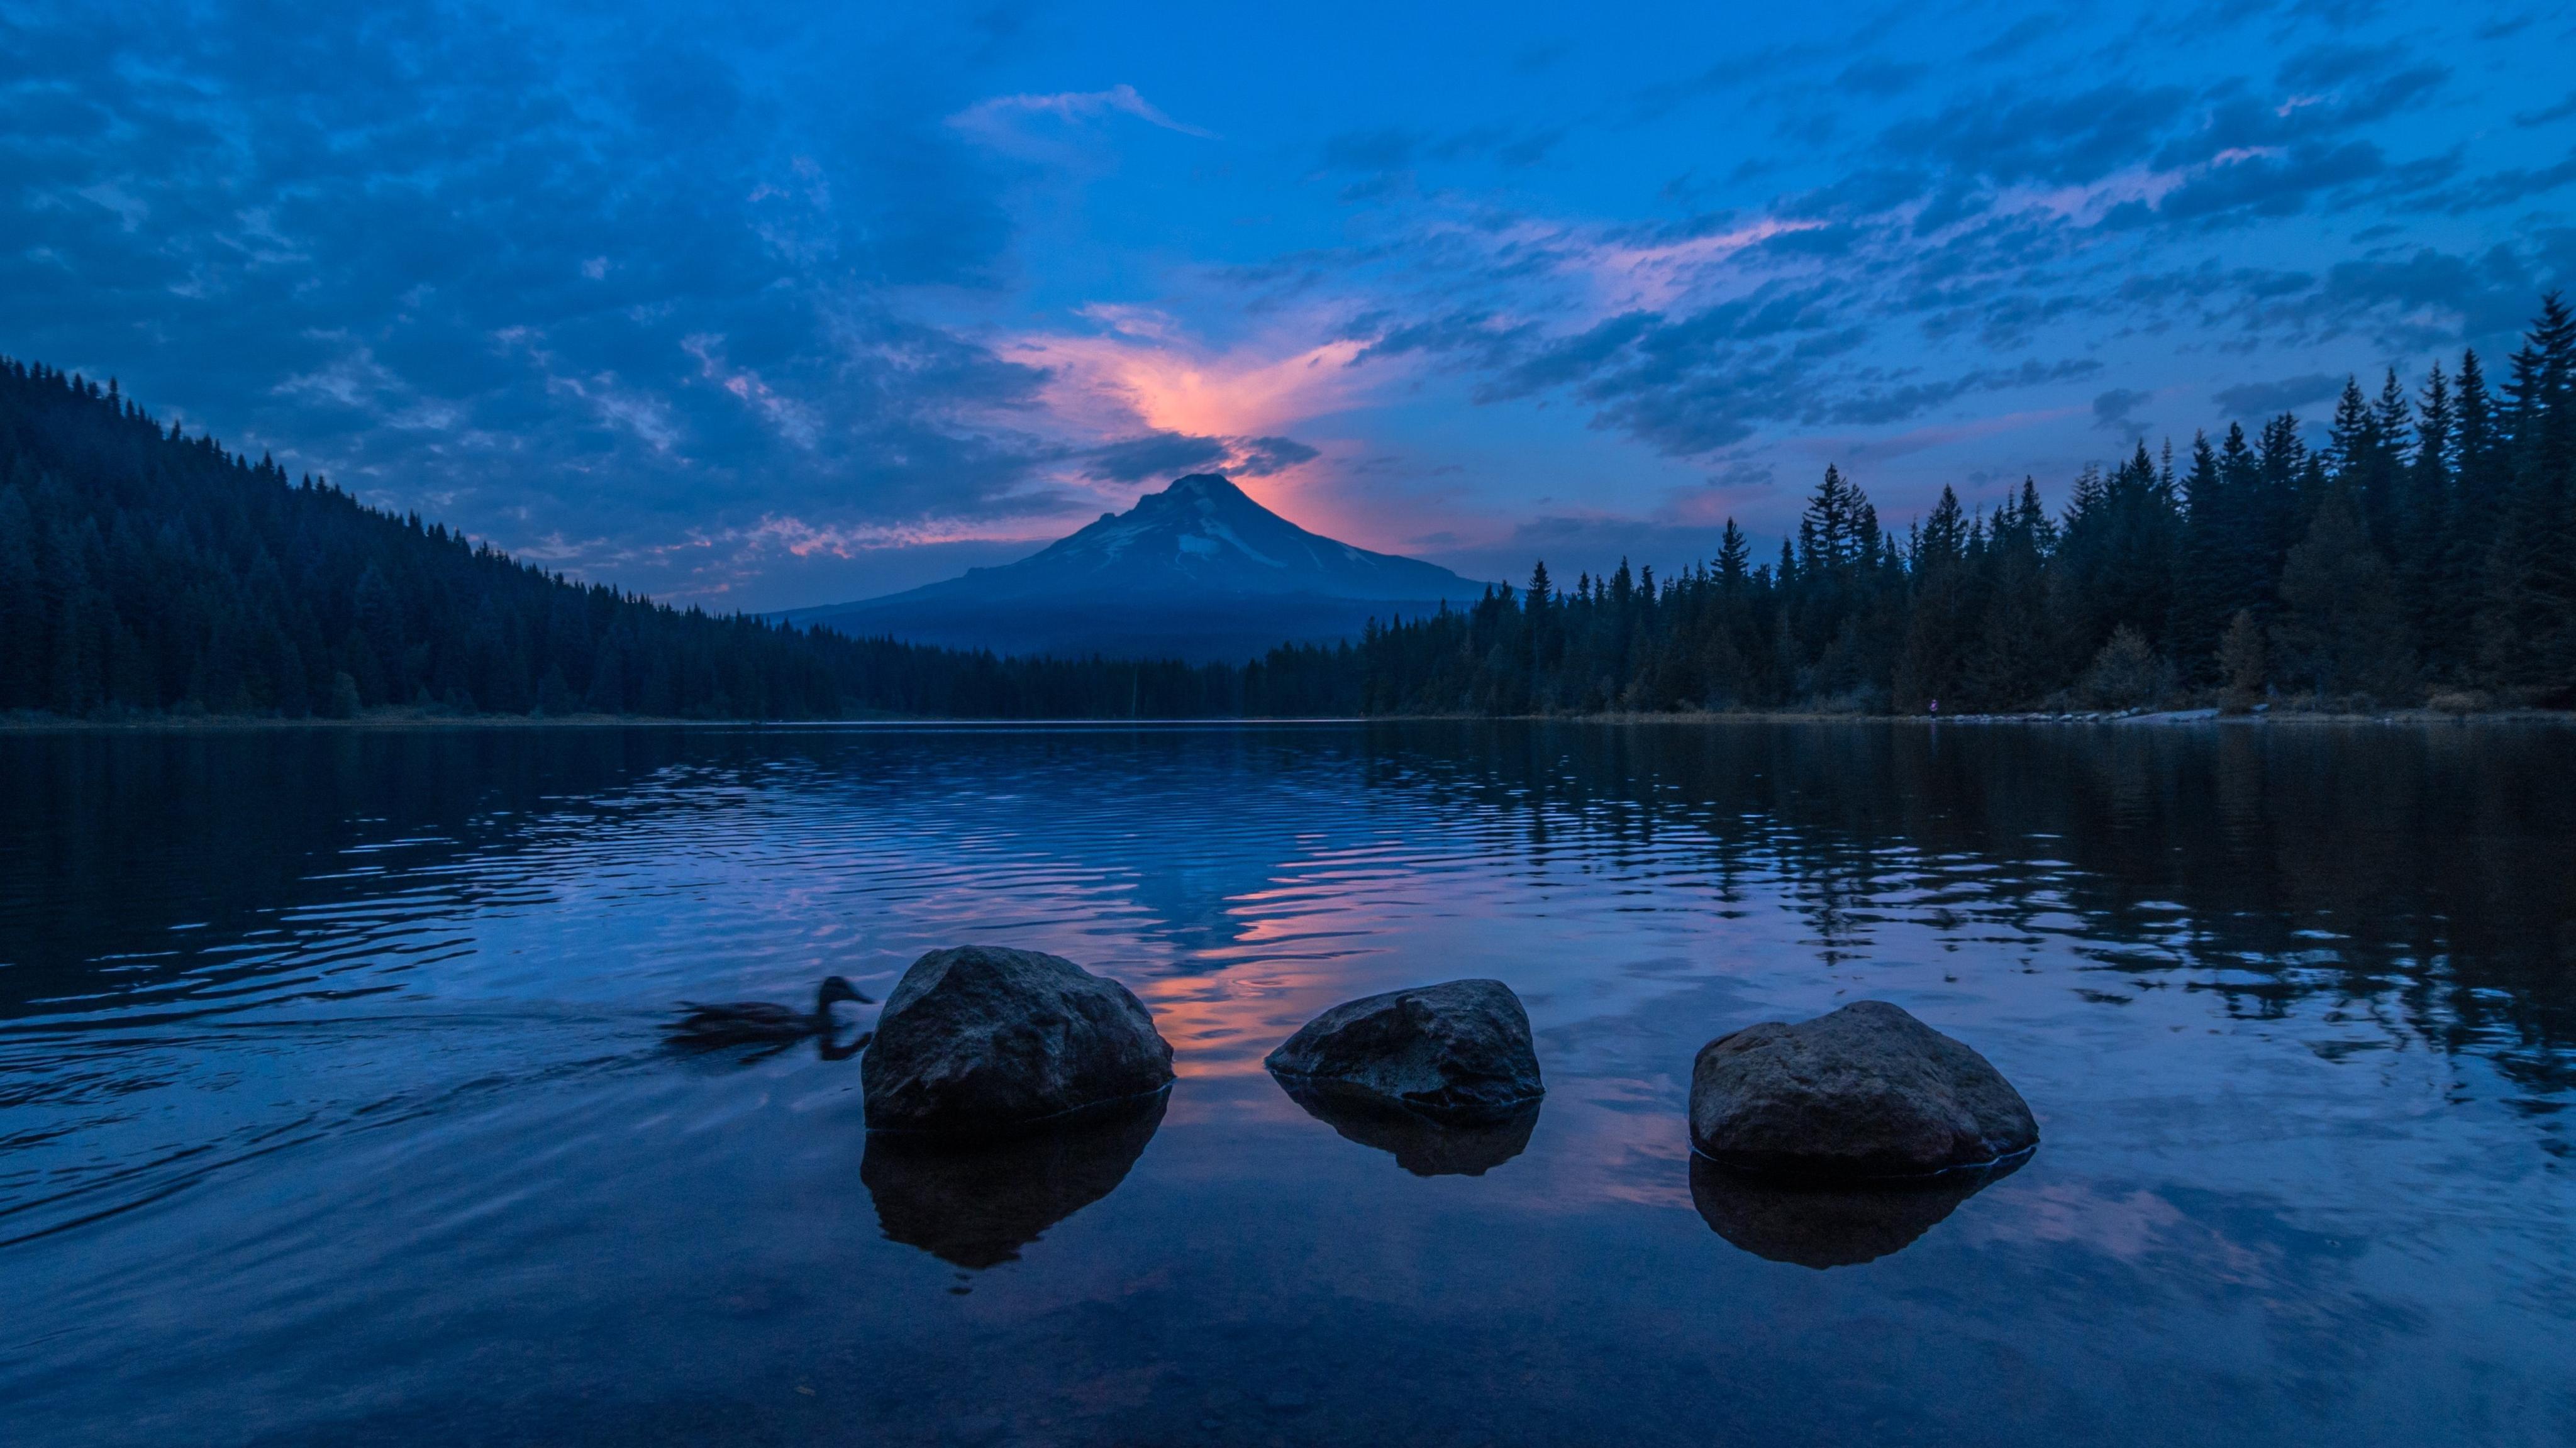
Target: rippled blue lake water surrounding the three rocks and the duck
(334,1112)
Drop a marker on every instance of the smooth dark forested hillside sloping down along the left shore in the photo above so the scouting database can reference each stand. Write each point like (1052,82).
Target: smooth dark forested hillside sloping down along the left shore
(146,571)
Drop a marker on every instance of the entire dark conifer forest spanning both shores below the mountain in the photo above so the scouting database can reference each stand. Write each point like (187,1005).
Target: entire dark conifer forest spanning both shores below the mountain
(2423,553)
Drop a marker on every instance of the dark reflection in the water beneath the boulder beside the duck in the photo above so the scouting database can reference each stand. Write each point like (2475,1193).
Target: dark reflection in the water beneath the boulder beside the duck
(978,1205)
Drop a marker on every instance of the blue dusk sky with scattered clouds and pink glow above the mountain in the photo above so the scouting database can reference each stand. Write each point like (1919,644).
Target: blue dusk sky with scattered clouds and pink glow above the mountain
(787,305)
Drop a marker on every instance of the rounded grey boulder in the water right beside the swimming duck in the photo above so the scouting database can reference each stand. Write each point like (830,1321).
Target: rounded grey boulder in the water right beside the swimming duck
(988,1042)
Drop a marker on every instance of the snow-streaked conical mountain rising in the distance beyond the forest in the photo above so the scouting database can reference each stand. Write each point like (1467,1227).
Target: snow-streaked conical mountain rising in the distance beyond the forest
(1197,573)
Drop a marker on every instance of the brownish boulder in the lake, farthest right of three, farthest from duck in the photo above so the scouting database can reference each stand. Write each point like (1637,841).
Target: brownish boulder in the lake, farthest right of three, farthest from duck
(1859,1094)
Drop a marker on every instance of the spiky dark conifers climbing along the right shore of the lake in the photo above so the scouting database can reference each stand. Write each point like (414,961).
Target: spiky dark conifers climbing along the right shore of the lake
(2428,553)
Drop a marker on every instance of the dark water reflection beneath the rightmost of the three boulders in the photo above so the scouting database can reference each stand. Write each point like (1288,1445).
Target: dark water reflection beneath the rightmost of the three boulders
(1833,1225)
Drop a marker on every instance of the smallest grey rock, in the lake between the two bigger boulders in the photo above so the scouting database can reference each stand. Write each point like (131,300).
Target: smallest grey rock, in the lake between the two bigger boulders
(1452,1053)
